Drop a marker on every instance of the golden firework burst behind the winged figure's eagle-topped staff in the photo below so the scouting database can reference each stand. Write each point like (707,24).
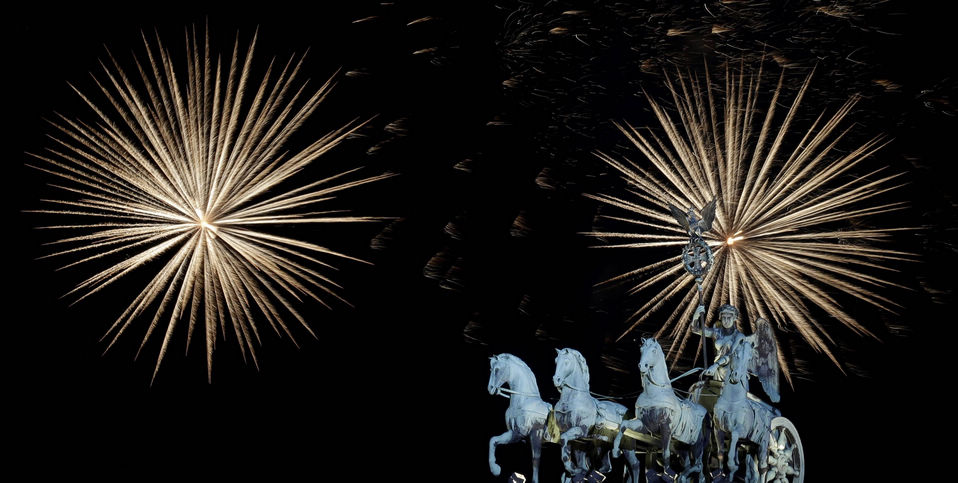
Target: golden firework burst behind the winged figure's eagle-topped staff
(778,238)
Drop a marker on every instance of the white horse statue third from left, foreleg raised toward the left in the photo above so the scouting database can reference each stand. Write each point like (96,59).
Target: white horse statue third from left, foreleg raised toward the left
(658,411)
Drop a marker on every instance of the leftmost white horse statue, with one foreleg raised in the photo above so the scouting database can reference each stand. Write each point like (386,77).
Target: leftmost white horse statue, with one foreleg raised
(527,413)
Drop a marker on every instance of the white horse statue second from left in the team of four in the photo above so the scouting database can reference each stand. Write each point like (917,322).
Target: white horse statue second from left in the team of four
(581,416)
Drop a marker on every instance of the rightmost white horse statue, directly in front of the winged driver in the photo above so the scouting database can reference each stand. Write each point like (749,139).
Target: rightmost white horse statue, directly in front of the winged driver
(738,415)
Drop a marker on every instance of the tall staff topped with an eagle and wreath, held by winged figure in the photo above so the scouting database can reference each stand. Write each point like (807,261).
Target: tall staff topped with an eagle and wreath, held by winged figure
(697,256)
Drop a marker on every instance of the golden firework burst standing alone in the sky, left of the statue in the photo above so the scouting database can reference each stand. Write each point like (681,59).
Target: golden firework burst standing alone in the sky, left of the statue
(186,171)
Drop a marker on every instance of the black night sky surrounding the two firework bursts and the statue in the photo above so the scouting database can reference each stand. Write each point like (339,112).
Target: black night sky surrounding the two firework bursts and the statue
(501,287)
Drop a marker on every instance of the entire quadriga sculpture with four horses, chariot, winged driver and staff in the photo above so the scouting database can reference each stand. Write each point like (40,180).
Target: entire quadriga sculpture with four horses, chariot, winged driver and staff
(702,437)
